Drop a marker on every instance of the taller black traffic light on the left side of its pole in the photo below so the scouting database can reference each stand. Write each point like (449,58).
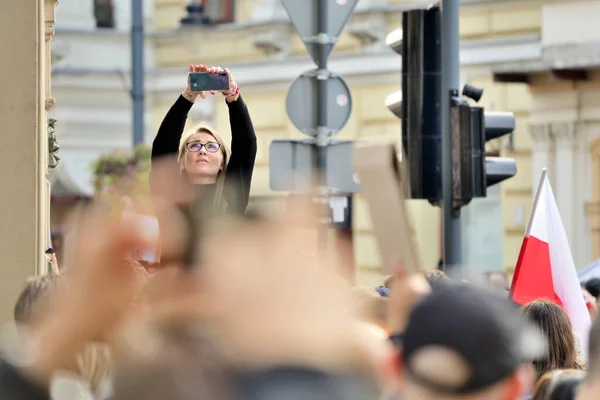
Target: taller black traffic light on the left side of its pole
(418,104)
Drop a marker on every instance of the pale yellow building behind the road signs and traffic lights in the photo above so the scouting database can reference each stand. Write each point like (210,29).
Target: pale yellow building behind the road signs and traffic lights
(265,54)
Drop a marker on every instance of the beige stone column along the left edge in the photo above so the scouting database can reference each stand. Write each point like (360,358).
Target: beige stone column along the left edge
(23,159)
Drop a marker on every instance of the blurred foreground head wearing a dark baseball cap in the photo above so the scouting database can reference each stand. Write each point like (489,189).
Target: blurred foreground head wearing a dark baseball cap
(463,342)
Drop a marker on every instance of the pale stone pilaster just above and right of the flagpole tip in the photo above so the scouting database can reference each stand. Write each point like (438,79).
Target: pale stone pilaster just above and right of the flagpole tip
(564,189)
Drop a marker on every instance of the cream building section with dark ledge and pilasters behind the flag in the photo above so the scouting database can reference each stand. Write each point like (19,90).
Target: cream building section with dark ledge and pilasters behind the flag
(564,86)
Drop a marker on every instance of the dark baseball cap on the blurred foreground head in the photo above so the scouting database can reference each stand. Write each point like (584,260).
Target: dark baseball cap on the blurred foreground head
(480,327)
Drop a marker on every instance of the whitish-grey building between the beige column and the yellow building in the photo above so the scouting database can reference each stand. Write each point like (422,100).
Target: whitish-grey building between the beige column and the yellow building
(91,72)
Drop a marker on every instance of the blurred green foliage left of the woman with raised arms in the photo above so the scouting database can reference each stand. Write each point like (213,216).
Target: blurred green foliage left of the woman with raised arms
(123,173)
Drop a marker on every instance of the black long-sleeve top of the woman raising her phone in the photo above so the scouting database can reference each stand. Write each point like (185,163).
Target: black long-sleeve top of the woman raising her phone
(243,148)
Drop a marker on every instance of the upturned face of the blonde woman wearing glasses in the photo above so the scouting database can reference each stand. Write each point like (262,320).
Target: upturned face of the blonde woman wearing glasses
(203,158)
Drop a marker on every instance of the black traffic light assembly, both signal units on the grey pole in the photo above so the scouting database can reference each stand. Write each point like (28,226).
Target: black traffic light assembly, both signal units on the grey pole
(418,105)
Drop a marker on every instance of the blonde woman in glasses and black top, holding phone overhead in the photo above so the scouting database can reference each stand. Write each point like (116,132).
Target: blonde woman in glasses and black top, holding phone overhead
(219,177)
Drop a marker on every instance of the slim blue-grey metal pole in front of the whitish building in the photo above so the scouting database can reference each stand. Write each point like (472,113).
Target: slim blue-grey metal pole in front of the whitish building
(137,70)
